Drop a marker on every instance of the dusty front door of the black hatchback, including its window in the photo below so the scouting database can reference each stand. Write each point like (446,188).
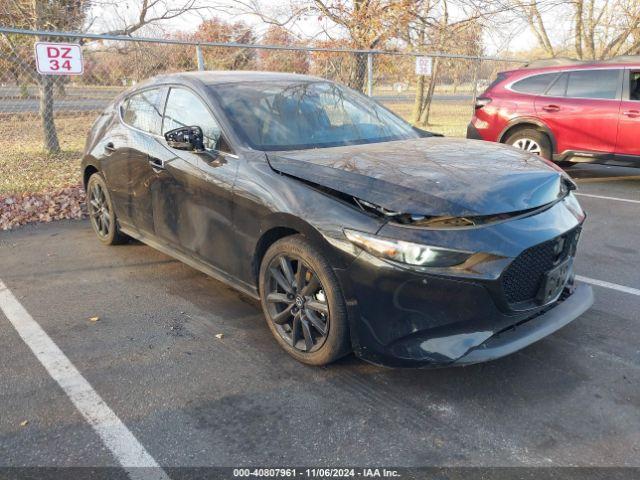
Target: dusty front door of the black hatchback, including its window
(192,204)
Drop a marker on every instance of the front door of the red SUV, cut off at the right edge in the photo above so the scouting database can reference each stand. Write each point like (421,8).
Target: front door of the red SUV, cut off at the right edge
(629,130)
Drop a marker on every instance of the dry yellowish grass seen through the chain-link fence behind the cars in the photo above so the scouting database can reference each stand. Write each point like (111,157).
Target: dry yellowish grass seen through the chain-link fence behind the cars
(26,169)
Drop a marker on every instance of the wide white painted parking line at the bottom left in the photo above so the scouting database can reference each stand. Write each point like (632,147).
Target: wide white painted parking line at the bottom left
(116,436)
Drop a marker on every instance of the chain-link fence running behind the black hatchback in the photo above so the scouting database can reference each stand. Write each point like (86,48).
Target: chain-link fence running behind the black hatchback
(55,112)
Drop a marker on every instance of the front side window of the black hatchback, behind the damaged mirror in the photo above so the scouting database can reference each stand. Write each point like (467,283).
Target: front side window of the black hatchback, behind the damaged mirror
(185,109)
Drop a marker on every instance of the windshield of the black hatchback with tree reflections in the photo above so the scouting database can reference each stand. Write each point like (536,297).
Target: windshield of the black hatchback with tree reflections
(295,116)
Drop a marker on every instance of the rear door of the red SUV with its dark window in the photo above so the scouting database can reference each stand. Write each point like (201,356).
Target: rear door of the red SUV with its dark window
(581,109)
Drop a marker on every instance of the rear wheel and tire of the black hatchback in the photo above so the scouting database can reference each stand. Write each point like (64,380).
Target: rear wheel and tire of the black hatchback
(101,213)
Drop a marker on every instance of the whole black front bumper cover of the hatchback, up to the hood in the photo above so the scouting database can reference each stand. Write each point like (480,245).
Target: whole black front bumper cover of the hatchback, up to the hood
(409,317)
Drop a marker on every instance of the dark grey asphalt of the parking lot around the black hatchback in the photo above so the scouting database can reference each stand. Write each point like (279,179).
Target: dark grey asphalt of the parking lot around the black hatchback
(192,399)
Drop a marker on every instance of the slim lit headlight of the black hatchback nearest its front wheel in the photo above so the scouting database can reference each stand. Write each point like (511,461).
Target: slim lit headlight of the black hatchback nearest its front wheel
(407,252)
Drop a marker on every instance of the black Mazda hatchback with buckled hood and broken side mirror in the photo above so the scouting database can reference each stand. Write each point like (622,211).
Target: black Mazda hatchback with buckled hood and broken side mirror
(355,231)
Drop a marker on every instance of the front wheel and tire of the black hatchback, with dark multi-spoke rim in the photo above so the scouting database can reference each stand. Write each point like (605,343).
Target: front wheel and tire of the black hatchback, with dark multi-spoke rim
(280,309)
